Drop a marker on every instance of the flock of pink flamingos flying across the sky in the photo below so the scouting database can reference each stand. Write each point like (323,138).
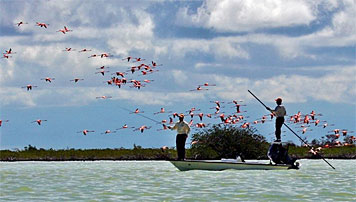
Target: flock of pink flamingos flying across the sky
(227,114)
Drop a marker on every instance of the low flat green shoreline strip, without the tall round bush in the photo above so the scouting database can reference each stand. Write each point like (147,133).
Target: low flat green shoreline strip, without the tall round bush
(150,154)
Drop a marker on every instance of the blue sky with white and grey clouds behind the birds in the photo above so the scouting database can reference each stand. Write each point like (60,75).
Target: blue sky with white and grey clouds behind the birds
(301,51)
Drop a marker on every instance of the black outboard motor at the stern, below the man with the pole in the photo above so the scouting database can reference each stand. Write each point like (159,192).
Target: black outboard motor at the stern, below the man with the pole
(279,155)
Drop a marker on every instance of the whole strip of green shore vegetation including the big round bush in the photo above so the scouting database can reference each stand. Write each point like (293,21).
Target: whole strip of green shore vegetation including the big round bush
(212,143)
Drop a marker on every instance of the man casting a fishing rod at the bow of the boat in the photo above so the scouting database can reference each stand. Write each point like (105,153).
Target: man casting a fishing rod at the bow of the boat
(183,130)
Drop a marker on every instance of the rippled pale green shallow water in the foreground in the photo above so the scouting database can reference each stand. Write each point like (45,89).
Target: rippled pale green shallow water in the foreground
(161,181)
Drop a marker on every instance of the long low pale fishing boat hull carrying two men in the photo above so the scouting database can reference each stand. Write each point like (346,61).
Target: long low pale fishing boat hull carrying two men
(218,165)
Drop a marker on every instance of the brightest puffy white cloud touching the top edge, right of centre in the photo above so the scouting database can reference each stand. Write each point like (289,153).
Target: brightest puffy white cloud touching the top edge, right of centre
(239,15)
